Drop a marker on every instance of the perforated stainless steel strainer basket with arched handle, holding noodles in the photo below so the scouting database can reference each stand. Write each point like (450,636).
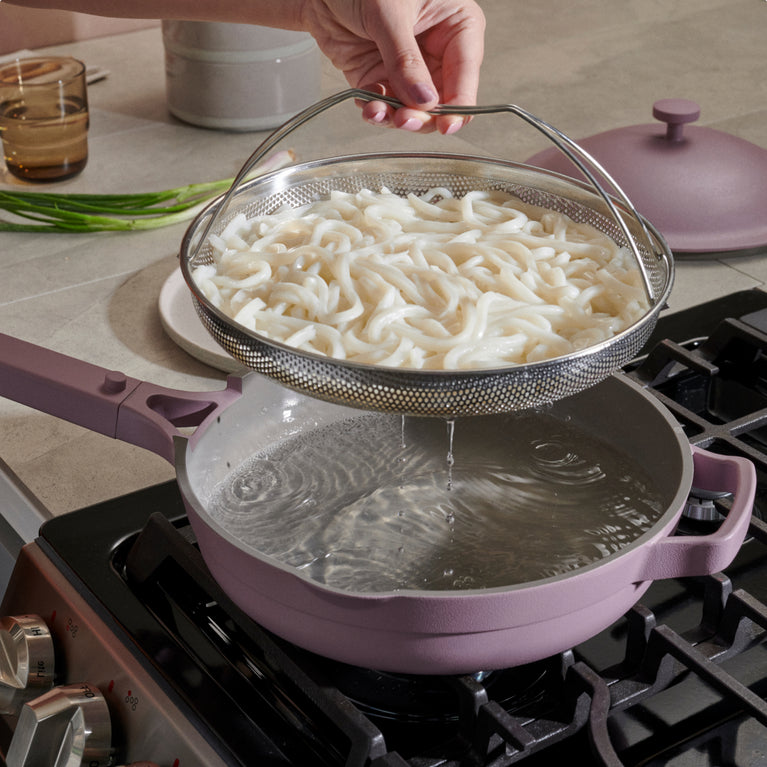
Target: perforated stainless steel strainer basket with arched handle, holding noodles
(433,392)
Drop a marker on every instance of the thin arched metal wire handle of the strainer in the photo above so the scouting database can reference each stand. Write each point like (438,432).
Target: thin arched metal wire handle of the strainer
(577,155)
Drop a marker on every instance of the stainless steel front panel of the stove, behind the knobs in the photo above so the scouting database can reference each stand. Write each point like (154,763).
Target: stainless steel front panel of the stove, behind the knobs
(146,725)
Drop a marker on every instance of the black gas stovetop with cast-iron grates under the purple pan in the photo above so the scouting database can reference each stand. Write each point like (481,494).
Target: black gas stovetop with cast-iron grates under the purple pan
(680,680)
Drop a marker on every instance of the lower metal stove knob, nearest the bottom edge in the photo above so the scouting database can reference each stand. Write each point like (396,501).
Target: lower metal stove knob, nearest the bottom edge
(68,725)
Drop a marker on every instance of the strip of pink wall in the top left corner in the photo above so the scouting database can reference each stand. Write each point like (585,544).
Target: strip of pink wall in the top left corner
(33,28)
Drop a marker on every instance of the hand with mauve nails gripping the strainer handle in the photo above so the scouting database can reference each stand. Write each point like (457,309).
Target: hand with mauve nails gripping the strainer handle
(423,52)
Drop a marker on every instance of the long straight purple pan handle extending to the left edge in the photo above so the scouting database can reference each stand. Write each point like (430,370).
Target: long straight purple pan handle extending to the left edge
(105,401)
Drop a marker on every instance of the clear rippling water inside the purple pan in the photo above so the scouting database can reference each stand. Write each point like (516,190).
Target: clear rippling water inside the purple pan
(364,506)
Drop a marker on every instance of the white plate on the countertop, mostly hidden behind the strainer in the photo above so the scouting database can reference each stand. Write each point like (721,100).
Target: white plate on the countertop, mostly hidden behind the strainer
(181,323)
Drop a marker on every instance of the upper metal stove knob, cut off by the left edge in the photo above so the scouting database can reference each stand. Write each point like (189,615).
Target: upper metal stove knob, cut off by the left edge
(26,660)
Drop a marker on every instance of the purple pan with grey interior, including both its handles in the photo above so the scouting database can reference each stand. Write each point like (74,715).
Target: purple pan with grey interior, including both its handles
(422,632)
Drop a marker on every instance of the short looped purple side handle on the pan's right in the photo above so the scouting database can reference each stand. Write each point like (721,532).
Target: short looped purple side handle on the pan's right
(682,556)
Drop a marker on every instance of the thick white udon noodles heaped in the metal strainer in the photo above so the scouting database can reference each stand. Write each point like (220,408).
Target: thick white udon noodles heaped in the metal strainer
(431,282)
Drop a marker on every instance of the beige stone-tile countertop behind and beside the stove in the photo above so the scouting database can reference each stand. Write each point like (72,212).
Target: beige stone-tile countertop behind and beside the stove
(597,65)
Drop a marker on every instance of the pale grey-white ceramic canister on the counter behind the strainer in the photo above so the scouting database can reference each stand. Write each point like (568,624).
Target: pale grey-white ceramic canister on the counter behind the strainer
(238,77)
